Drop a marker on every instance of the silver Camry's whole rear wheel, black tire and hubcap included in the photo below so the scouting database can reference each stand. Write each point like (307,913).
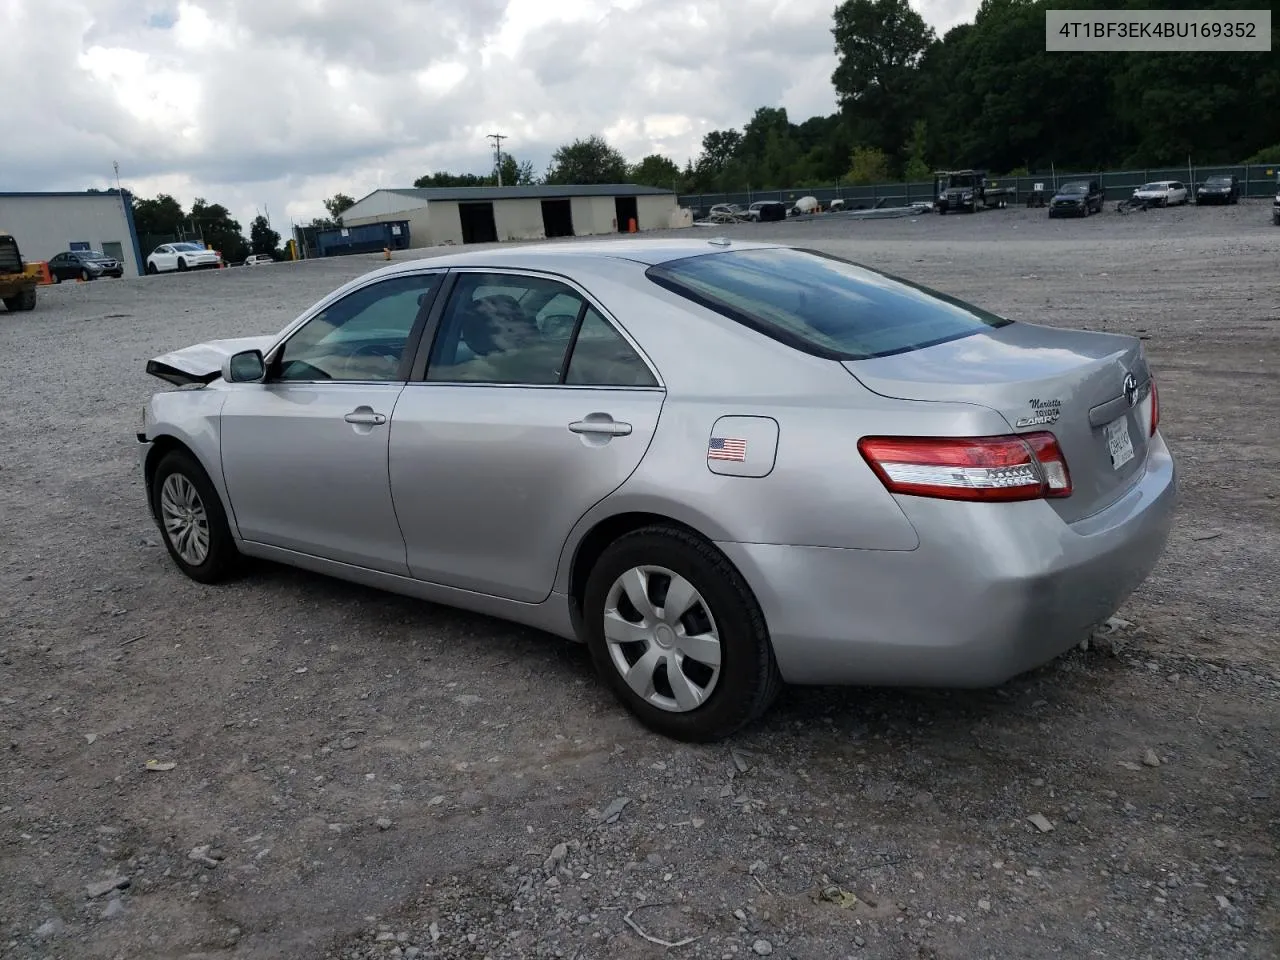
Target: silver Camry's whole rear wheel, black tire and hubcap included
(679,637)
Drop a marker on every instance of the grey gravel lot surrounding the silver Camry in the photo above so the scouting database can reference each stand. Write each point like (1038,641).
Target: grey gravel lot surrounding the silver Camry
(363,776)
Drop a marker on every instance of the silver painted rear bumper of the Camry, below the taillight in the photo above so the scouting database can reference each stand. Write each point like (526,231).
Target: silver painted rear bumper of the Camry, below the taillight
(994,591)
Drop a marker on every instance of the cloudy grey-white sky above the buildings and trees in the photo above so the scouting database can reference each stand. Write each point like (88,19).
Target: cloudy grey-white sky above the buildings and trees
(277,104)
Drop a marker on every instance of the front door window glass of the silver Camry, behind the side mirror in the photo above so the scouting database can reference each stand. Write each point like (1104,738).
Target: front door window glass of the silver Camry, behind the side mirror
(360,337)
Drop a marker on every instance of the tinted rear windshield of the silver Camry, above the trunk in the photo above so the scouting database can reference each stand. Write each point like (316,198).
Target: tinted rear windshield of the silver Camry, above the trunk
(821,304)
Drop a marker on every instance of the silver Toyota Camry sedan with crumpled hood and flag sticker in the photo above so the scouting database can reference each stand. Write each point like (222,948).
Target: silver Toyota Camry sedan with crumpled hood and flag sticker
(721,465)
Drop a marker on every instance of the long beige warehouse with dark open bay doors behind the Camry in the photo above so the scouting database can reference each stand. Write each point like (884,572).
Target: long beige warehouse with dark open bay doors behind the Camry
(438,216)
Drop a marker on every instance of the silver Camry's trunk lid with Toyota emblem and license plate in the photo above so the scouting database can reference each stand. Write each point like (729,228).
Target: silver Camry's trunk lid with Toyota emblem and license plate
(1071,383)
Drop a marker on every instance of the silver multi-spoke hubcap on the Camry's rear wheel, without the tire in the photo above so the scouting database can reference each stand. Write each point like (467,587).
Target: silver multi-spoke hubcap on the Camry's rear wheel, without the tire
(662,638)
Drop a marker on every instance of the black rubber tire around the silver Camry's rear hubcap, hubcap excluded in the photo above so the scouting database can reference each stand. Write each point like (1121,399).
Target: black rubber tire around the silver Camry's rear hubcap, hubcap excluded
(749,680)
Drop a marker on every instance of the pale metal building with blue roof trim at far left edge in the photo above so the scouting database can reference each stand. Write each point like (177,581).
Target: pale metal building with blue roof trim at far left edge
(47,225)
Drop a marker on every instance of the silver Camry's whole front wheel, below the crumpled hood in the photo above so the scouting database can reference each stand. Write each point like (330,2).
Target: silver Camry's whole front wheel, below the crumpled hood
(191,519)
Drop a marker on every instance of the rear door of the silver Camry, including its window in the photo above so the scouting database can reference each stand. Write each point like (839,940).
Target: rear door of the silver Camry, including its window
(534,406)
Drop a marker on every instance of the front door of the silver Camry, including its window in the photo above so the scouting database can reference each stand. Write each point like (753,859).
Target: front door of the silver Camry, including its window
(305,451)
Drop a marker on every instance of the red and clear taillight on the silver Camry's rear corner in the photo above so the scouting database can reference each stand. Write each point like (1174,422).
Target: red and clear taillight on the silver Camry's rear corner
(1000,469)
